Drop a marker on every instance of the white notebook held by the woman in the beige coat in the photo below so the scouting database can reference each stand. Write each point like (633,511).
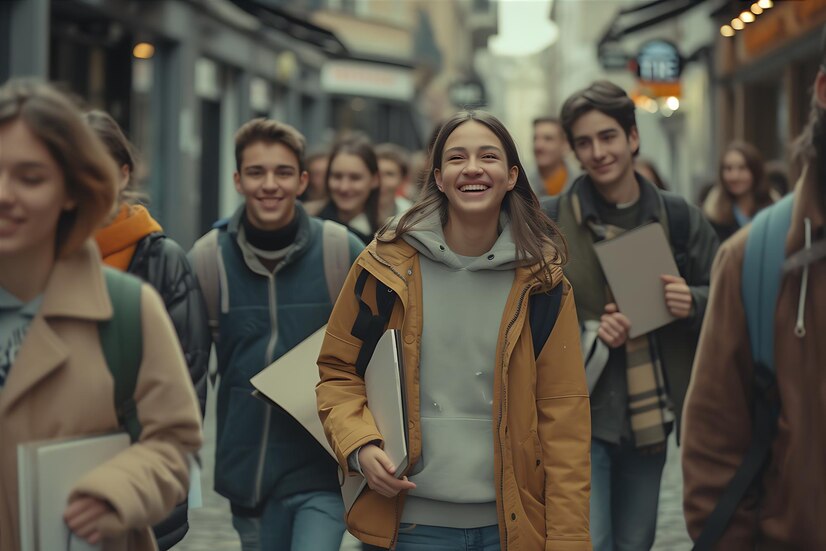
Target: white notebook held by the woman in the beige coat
(46,473)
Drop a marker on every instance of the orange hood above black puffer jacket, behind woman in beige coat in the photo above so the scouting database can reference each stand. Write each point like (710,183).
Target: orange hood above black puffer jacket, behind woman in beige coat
(118,240)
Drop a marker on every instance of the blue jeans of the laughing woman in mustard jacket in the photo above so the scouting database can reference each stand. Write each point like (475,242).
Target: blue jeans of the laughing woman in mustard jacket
(418,537)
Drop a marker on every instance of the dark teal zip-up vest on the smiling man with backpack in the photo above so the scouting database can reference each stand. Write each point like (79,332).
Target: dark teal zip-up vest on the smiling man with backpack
(262,452)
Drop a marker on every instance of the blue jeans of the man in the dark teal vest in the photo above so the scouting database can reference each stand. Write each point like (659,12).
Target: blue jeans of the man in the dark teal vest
(311,520)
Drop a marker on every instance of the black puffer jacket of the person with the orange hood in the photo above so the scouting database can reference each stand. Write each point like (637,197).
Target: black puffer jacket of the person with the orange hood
(162,263)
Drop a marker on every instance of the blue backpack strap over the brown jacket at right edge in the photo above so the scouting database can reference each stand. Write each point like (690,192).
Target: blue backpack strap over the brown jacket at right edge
(762,270)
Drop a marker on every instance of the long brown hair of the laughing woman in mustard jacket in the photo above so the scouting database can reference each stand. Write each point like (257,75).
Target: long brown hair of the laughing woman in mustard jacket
(531,228)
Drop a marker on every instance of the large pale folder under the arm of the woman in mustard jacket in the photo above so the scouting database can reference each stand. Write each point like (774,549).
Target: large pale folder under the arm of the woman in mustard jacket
(290,383)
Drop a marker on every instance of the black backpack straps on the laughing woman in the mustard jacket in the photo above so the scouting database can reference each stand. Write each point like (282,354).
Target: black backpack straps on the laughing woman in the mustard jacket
(369,328)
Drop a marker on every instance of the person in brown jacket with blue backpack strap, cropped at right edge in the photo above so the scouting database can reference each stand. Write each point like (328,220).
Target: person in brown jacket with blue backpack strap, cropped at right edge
(754,444)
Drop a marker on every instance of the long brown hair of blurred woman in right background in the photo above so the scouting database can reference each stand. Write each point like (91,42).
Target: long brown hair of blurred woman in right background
(719,205)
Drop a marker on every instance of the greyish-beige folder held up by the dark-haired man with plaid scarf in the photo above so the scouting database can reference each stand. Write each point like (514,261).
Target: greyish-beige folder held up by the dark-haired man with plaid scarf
(633,263)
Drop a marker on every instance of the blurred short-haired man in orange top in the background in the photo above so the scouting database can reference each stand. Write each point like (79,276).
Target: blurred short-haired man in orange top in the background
(551,175)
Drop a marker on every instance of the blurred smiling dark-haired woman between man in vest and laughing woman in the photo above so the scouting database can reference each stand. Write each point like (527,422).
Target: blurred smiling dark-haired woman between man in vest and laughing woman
(353,186)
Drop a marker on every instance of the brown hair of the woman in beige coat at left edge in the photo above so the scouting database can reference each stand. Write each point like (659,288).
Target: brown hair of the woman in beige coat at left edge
(88,170)
